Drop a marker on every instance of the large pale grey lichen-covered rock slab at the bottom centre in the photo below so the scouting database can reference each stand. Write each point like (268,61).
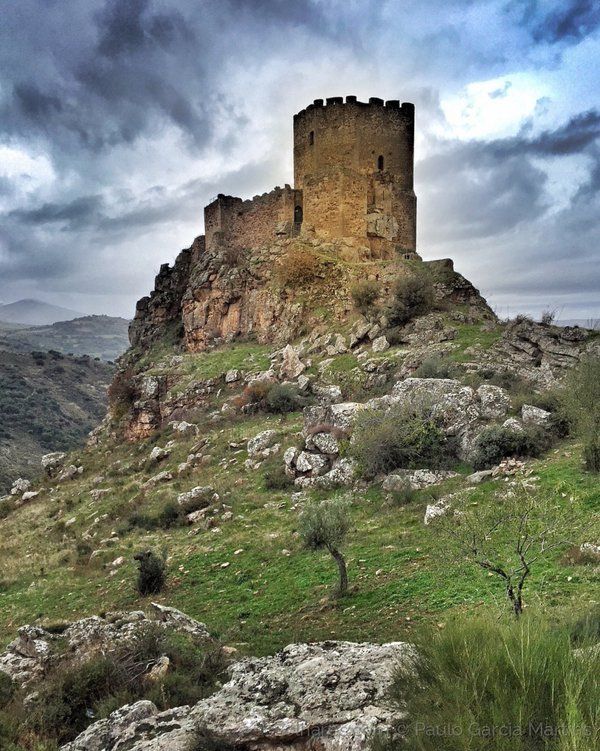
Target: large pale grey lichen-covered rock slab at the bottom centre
(329,696)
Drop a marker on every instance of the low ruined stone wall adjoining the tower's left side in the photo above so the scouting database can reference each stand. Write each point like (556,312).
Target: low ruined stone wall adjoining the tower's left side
(232,222)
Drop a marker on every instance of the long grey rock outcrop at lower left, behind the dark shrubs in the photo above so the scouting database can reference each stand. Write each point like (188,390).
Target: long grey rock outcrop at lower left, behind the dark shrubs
(35,650)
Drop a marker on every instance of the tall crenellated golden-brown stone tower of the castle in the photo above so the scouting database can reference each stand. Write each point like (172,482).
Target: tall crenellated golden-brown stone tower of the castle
(353,162)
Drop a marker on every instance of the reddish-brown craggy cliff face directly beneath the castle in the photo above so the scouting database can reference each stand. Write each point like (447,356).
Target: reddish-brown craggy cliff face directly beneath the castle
(274,293)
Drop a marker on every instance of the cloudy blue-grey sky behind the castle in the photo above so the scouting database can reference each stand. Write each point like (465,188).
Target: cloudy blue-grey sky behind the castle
(121,119)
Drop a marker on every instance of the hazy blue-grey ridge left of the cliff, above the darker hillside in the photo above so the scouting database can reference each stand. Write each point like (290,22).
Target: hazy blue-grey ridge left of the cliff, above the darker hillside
(105,337)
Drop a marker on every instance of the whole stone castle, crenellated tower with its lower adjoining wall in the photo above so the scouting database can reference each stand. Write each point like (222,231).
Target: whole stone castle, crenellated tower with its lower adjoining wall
(353,179)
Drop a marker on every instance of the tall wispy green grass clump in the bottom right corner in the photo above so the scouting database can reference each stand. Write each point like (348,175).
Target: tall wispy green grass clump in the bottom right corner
(483,683)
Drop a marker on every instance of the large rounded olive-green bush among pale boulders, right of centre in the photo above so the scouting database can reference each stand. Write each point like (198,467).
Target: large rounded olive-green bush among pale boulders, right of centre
(401,438)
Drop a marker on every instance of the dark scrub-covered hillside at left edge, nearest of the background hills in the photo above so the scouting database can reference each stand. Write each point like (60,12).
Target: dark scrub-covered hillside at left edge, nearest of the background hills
(48,402)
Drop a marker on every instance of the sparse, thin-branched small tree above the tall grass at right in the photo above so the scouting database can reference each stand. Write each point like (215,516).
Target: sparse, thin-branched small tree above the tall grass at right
(507,537)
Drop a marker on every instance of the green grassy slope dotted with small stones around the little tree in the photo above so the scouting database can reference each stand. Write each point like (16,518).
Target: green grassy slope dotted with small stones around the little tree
(265,597)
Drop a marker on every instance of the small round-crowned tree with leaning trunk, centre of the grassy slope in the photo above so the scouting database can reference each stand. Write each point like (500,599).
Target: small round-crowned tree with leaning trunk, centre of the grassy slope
(325,524)
